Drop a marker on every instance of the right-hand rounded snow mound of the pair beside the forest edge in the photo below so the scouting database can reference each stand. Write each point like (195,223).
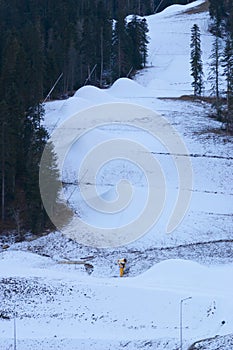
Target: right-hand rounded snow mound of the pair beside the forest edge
(125,87)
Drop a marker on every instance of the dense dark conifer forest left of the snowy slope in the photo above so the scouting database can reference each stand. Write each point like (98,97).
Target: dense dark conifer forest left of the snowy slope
(84,41)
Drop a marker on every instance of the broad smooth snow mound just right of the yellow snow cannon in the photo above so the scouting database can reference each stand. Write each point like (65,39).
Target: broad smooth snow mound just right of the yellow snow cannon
(188,278)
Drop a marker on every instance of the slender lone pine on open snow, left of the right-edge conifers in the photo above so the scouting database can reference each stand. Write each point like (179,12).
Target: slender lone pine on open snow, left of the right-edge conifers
(196,62)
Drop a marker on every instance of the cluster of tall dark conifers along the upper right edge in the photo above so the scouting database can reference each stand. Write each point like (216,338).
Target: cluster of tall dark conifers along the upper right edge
(221,13)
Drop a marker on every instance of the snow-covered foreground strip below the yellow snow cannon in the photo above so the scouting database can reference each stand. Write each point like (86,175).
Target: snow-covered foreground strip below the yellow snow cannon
(60,308)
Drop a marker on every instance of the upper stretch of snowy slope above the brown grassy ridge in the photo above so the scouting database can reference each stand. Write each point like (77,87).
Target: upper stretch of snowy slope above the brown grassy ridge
(168,72)
